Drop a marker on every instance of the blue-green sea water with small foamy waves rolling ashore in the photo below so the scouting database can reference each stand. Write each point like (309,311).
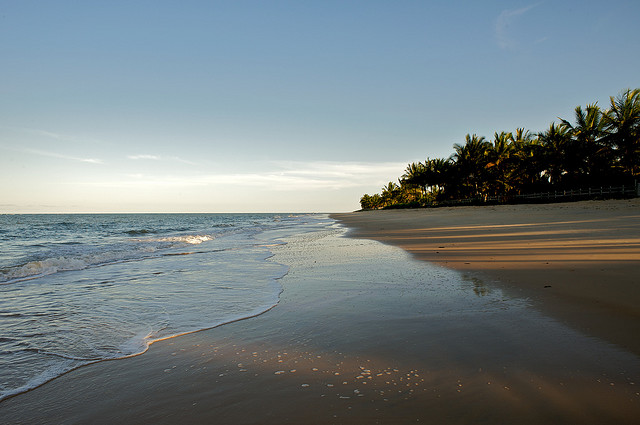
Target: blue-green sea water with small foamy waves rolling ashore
(81,288)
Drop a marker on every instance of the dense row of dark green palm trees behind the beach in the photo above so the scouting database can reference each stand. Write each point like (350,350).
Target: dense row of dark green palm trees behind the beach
(600,147)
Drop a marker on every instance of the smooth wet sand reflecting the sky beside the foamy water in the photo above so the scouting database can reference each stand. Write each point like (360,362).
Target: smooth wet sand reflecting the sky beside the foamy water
(363,334)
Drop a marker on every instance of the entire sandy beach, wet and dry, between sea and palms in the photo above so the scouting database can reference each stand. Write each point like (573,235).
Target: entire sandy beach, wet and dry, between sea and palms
(365,332)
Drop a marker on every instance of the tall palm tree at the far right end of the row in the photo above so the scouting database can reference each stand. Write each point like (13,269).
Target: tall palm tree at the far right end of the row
(622,123)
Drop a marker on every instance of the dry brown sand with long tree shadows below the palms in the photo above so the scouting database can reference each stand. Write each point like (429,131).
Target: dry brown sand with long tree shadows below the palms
(578,262)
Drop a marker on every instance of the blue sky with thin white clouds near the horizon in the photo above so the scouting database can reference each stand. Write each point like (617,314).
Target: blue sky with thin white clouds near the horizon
(280,106)
